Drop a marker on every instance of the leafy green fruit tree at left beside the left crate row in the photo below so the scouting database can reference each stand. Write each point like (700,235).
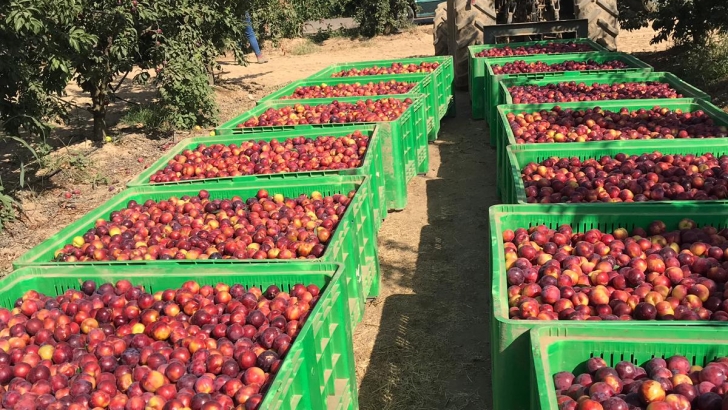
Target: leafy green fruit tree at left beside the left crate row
(99,43)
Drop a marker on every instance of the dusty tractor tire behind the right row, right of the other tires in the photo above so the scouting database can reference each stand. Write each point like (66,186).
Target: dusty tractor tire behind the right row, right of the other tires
(603,17)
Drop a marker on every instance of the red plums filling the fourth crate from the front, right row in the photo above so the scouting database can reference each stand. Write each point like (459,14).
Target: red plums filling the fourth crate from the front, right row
(597,124)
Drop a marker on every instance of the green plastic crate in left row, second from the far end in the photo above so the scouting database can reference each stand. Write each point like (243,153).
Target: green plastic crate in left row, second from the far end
(424,85)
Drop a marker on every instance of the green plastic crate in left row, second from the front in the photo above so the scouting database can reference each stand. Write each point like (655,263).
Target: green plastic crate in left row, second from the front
(353,243)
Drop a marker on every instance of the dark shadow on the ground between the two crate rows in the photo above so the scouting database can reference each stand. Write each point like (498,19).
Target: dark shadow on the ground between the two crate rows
(432,348)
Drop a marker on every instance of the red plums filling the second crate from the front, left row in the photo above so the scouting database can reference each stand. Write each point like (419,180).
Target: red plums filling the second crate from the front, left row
(198,227)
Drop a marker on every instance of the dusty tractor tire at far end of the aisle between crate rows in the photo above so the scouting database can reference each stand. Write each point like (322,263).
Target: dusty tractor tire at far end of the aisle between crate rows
(463,21)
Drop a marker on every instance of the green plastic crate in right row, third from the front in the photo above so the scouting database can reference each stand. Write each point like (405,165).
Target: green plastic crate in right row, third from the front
(519,156)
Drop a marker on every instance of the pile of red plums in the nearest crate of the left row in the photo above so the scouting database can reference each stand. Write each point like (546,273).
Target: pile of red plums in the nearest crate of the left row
(118,347)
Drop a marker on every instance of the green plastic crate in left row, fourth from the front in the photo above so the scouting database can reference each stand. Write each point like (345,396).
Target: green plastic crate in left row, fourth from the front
(404,141)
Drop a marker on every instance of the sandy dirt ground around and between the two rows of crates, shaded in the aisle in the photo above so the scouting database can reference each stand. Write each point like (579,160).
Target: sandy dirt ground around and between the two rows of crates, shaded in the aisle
(424,343)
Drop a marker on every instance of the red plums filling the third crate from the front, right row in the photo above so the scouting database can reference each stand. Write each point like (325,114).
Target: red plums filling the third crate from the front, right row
(627,178)
